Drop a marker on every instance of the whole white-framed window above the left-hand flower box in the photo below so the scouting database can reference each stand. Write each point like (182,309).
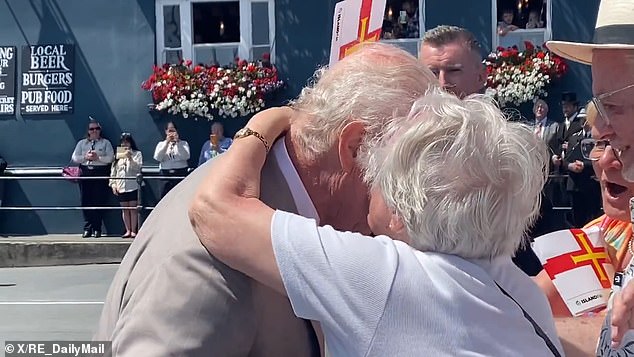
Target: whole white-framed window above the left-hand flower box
(214,31)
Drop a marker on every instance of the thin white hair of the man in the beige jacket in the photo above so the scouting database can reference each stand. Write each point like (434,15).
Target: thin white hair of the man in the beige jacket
(373,85)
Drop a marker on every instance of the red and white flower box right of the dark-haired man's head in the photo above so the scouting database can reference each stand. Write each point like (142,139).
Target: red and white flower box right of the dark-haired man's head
(515,77)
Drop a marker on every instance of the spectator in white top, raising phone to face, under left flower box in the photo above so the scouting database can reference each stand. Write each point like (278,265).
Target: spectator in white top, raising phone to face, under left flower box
(172,155)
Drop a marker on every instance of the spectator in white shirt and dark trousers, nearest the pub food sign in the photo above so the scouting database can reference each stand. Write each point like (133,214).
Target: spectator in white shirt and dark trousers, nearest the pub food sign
(94,154)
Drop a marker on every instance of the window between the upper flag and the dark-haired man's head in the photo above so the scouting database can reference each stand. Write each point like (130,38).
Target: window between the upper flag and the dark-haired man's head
(403,24)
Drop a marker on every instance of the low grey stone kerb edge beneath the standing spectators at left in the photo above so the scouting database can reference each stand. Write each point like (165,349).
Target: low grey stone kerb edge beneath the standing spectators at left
(49,253)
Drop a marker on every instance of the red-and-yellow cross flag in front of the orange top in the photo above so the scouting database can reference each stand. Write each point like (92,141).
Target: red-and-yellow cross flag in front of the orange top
(577,262)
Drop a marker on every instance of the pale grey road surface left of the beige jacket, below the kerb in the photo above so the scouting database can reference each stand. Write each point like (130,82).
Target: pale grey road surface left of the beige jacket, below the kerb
(52,303)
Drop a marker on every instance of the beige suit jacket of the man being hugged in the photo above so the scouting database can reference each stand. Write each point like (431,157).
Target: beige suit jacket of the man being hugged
(171,298)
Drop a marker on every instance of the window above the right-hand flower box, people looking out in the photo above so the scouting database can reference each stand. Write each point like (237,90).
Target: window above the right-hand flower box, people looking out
(516,21)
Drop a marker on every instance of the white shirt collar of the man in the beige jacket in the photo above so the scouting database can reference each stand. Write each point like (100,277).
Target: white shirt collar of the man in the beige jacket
(302,200)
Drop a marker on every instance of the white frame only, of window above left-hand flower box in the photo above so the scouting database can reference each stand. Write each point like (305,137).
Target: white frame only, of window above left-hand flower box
(187,45)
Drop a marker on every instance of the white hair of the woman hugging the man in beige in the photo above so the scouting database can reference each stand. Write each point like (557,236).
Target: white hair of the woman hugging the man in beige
(463,180)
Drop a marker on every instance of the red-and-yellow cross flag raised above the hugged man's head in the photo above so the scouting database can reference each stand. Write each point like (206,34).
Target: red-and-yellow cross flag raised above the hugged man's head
(355,22)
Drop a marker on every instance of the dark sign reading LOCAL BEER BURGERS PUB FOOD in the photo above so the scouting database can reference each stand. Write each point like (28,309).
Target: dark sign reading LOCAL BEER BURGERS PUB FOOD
(48,73)
